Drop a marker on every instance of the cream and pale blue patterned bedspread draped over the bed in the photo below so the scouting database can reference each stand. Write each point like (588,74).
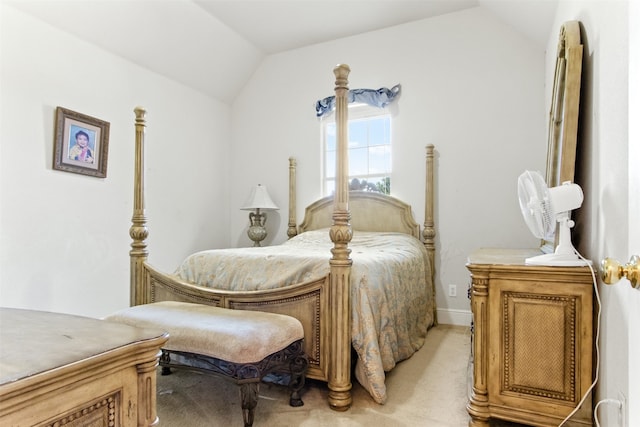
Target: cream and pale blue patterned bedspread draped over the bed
(392,306)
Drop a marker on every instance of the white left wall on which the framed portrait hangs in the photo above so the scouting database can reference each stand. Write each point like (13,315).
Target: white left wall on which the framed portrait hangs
(64,237)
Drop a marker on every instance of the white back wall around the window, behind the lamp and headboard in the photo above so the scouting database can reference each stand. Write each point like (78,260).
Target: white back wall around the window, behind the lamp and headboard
(471,85)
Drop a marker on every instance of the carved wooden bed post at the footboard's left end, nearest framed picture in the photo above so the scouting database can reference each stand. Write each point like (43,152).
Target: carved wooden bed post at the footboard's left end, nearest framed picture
(138,230)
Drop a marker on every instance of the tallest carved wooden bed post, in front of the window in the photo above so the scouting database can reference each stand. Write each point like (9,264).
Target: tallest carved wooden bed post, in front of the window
(340,263)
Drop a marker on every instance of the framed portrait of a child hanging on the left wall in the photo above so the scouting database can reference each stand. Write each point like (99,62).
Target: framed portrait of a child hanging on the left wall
(81,145)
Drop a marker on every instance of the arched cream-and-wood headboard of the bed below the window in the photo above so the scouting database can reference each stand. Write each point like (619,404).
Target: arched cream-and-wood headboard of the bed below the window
(369,212)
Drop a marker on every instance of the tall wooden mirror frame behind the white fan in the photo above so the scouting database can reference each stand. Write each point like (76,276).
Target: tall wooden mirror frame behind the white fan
(564,112)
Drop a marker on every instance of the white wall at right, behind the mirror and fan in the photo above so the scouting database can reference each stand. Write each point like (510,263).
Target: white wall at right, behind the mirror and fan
(607,216)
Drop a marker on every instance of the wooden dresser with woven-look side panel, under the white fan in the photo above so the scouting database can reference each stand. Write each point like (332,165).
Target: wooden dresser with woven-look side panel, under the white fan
(532,340)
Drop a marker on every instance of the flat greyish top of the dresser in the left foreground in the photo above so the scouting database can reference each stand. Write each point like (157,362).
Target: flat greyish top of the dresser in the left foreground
(33,341)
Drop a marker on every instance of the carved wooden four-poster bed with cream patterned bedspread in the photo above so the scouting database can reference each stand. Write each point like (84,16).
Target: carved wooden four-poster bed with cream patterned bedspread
(341,306)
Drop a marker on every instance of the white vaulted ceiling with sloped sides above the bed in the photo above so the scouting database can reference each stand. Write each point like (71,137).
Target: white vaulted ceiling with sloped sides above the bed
(214,46)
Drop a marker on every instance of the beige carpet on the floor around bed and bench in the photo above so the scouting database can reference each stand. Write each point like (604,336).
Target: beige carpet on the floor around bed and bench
(429,389)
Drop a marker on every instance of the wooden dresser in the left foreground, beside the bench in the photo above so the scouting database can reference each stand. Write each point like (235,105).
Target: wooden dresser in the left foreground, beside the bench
(62,370)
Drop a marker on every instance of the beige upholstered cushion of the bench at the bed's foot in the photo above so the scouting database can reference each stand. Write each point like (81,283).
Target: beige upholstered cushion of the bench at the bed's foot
(239,336)
